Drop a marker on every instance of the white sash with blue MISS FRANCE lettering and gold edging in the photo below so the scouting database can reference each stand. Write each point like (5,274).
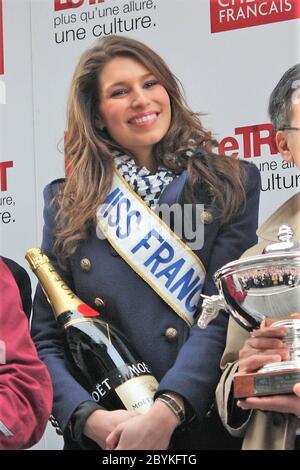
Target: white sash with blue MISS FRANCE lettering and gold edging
(151,248)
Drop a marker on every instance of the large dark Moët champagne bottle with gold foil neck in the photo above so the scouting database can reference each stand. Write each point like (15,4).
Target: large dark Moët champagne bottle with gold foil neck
(98,356)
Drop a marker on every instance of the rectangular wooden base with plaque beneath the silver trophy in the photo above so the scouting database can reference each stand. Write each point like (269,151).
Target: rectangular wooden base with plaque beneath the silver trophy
(266,383)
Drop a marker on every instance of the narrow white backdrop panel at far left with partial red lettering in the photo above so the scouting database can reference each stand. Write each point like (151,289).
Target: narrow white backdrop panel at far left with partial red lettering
(17,165)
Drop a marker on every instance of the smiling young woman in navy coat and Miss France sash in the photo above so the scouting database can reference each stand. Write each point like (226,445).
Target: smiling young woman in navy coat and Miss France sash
(128,124)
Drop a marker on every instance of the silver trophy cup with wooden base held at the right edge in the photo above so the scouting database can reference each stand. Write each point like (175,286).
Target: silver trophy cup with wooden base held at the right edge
(264,287)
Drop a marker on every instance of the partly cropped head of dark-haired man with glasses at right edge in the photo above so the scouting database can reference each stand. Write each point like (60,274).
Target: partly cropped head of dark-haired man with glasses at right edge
(284,112)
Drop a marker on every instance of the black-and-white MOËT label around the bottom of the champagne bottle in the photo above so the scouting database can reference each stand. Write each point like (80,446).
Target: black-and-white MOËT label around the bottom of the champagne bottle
(133,383)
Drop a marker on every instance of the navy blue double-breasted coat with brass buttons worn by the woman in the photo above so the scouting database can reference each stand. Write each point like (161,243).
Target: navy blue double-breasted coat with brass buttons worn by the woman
(188,364)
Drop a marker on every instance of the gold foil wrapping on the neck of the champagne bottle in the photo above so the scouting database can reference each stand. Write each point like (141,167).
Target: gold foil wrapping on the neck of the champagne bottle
(58,294)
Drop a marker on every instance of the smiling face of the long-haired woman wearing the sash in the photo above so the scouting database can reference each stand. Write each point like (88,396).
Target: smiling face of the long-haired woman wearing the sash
(134,106)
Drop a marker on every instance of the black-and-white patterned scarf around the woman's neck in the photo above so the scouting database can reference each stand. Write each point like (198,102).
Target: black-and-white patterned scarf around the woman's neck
(149,187)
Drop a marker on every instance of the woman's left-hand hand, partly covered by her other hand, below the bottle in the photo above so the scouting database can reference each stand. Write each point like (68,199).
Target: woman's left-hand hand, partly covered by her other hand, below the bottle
(102,422)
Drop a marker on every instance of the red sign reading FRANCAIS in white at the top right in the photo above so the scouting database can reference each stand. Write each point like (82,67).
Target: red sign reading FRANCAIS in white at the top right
(226,15)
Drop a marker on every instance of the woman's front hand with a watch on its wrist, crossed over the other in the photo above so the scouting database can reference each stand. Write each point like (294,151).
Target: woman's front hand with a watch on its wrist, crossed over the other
(149,431)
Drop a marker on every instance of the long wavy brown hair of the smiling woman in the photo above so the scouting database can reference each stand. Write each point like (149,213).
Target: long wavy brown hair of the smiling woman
(89,150)
